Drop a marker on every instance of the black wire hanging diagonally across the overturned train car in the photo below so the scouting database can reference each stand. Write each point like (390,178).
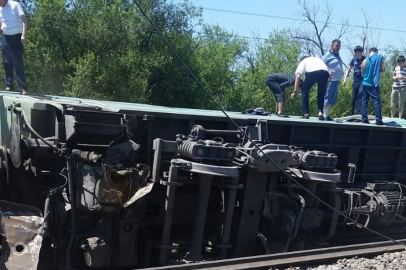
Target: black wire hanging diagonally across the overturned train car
(242,131)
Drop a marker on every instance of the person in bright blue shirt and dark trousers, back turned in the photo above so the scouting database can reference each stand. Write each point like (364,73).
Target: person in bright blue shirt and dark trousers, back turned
(371,69)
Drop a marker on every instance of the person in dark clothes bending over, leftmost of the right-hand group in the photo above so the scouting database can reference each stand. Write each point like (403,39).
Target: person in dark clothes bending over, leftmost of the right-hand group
(278,82)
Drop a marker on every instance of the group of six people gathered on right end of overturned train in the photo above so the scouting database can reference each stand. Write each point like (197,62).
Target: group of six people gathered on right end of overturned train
(328,72)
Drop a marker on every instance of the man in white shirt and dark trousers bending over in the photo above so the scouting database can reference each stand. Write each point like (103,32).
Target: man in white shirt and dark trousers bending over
(316,71)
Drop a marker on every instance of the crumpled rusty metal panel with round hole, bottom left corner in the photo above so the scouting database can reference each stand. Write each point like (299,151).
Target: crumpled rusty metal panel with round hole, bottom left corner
(21,242)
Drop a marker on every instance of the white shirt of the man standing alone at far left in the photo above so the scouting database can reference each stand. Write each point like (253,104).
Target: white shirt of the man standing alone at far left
(10,18)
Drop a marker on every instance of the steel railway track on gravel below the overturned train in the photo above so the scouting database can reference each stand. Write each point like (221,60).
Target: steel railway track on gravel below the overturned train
(296,258)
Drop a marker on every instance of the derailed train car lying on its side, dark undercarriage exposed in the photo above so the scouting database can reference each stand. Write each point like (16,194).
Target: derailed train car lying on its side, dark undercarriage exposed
(94,184)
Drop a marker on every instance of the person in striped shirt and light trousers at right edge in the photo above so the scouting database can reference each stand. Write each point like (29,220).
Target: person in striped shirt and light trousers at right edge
(398,87)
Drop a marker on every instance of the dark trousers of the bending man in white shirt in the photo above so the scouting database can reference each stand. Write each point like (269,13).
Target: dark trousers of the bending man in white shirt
(321,78)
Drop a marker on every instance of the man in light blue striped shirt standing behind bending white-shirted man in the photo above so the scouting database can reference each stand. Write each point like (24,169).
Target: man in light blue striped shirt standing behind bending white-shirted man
(335,65)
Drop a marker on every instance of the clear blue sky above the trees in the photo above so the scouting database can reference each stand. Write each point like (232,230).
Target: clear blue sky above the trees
(386,15)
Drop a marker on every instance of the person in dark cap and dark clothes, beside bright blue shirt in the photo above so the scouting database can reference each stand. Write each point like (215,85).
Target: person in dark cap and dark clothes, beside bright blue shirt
(355,64)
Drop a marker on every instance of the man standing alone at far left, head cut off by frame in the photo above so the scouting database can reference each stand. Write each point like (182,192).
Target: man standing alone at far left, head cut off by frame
(14,29)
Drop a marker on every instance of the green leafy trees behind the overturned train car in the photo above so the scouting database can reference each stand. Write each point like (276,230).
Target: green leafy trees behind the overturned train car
(106,49)
